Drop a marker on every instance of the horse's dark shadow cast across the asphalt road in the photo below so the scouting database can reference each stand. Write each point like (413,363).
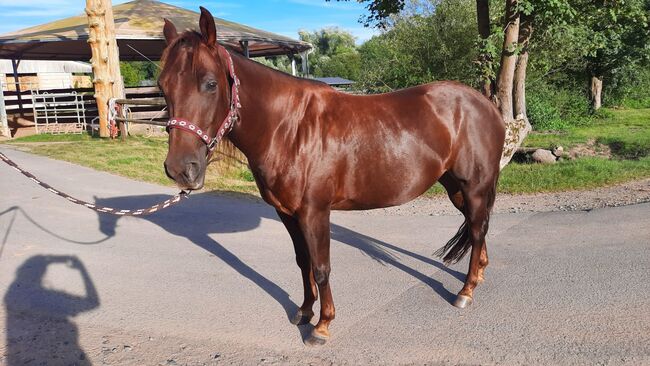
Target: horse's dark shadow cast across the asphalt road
(209,213)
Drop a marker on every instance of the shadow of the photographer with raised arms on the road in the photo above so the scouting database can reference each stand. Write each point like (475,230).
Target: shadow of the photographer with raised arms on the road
(39,325)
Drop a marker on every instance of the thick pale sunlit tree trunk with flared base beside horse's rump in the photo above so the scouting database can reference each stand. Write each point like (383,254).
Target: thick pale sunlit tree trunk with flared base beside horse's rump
(516,128)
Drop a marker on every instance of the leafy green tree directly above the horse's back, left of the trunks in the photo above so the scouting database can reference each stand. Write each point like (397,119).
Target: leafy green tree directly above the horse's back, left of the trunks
(420,47)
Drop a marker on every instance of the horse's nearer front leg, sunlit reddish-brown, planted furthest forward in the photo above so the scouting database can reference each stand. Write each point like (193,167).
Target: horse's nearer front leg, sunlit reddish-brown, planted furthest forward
(315,225)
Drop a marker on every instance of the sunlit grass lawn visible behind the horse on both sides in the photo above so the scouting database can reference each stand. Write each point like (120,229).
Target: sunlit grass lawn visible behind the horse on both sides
(626,132)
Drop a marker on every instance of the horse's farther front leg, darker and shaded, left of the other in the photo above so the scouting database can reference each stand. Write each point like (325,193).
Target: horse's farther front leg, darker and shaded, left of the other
(305,312)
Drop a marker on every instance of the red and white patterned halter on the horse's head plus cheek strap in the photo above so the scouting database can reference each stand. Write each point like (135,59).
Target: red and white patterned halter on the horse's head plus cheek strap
(228,122)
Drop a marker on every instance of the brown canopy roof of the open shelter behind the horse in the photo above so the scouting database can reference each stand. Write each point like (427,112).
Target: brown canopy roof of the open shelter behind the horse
(138,28)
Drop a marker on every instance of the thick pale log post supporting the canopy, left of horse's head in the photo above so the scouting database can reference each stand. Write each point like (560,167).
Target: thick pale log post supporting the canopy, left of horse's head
(105,58)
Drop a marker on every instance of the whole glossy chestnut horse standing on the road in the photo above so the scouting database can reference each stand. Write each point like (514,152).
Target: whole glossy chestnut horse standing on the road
(313,149)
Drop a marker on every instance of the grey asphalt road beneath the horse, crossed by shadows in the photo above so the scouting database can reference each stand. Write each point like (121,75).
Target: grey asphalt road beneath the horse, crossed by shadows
(212,281)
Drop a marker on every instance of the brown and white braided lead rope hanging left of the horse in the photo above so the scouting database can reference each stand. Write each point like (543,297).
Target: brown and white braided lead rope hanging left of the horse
(113,211)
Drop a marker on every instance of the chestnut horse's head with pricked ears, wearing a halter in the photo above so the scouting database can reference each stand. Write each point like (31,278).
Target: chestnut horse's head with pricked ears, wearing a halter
(196,84)
